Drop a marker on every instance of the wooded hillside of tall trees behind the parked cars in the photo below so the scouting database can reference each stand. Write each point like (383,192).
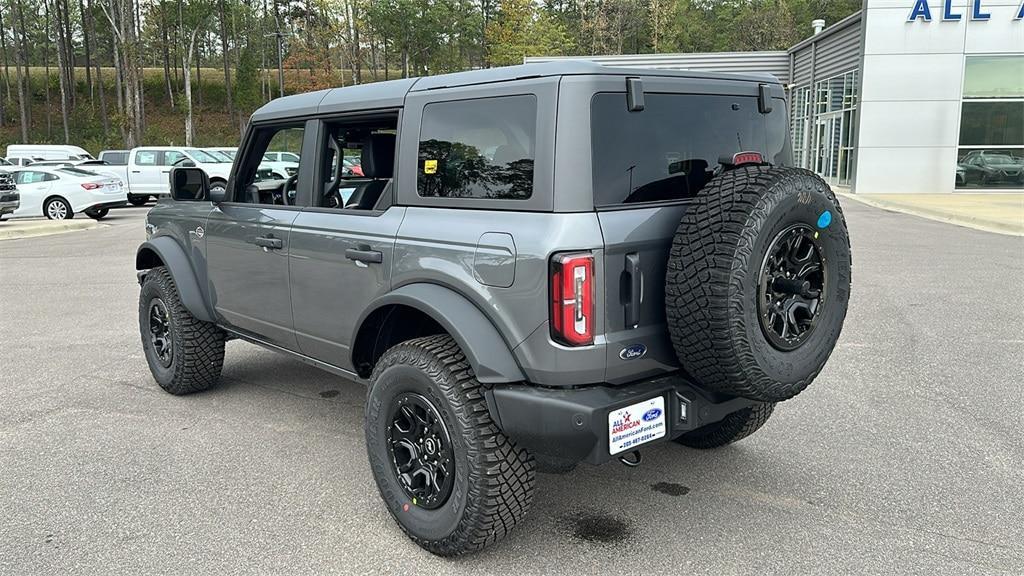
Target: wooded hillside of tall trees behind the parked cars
(127,72)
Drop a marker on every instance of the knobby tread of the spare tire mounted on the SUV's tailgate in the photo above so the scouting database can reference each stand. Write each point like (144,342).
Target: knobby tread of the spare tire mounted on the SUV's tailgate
(703,272)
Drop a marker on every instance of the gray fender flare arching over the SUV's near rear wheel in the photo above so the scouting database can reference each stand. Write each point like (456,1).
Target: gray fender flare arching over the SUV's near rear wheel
(485,349)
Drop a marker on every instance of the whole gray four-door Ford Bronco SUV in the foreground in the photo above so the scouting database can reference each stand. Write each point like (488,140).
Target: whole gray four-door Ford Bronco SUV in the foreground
(529,267)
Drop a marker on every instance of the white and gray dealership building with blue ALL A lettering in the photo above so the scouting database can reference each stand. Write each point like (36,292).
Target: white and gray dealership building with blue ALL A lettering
(904,97)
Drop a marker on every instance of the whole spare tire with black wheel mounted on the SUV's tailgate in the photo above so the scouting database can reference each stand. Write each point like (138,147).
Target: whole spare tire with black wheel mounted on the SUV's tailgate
(759,282)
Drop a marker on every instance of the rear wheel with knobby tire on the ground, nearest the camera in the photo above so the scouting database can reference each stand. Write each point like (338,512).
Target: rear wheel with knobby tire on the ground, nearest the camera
(451,479)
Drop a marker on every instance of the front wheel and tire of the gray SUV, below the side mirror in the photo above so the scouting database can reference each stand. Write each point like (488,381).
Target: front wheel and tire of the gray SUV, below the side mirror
(185,354)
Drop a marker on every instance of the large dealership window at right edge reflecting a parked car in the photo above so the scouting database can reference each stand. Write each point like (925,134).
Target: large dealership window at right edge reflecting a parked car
(992,136)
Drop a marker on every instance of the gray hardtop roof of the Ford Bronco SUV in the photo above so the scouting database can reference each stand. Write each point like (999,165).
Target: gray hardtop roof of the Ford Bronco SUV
(392,94)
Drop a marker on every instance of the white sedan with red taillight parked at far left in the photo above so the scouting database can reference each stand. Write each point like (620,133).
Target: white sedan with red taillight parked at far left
(59,194)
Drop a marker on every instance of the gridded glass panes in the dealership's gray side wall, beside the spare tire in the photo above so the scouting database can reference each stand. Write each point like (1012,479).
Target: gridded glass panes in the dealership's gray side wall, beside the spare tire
(835,122)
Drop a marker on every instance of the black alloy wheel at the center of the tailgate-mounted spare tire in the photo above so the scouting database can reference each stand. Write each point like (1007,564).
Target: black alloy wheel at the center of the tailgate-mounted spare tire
(792,287)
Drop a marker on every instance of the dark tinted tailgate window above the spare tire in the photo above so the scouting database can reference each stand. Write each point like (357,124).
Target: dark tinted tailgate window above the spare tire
(672,149)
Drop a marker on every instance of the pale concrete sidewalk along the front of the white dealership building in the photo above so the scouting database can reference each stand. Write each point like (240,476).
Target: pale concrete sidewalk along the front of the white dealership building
(999,213)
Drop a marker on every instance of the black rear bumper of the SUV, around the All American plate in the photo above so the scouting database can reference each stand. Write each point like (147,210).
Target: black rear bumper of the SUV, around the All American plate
(573,425)
